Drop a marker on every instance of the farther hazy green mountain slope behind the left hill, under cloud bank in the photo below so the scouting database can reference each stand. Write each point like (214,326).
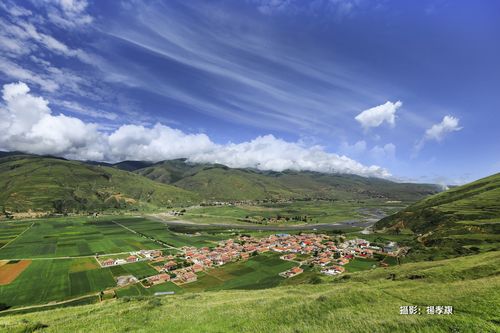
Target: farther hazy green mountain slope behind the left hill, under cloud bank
(218,182)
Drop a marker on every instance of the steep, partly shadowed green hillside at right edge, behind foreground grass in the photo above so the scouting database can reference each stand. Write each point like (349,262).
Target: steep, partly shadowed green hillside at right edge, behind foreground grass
(466,216)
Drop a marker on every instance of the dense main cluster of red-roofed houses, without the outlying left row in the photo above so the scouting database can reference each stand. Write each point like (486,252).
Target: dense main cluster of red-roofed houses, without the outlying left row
(319,250)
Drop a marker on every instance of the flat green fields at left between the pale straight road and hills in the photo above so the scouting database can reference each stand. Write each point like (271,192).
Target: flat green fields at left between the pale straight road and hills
(68,237)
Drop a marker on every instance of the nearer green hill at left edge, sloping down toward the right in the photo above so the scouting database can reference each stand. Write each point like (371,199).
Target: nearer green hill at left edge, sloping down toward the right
(57,185)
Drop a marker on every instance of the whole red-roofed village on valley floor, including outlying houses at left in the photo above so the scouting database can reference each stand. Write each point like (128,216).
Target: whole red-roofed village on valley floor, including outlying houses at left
(329,254)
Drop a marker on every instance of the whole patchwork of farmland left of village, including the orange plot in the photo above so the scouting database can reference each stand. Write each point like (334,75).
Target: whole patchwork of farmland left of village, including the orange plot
(52,259)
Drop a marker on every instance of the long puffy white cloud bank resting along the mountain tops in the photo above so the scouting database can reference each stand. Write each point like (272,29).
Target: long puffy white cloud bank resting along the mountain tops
(28,124)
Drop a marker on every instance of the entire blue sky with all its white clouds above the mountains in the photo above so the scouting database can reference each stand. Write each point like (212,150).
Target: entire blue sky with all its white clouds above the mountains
(399,89)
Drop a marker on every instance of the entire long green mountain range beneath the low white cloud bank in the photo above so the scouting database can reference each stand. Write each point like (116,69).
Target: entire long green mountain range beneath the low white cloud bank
(44,183)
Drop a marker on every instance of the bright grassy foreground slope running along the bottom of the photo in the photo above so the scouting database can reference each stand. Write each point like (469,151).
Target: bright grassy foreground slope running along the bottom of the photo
(365,301)
